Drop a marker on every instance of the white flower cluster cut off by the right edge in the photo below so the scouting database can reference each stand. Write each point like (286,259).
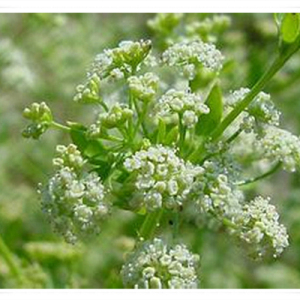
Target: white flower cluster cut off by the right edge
(281,145)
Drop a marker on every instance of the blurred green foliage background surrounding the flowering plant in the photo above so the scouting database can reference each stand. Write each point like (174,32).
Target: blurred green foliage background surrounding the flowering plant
(42,58)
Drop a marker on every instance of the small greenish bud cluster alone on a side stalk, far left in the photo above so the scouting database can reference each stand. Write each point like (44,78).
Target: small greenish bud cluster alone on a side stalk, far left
(41,117)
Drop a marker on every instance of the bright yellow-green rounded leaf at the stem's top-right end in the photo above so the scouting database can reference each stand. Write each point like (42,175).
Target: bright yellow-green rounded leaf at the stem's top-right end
(290,27)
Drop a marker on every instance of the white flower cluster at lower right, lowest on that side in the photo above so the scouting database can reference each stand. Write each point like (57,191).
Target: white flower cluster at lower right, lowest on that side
(260,227)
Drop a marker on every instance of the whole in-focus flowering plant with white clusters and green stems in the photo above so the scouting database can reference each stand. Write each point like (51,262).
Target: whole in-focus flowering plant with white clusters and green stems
(165,140)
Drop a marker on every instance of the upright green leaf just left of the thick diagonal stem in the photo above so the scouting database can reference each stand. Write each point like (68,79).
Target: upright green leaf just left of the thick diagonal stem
(207,123)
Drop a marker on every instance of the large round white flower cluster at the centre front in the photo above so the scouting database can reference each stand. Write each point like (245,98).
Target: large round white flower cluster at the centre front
(162,178)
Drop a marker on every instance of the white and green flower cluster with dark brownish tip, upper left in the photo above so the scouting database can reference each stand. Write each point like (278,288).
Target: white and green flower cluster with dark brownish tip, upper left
(121,61)
